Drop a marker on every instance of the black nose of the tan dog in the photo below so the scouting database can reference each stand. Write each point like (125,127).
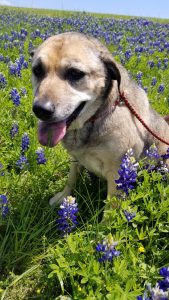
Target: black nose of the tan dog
(43,110)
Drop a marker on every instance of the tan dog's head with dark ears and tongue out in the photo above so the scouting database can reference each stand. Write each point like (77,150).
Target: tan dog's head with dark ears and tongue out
(72,75)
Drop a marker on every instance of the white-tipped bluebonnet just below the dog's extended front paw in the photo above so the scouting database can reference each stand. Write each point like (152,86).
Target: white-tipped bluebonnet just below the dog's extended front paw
(67,220)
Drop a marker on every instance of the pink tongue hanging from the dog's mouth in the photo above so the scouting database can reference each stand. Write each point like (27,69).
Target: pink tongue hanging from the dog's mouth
(50,134)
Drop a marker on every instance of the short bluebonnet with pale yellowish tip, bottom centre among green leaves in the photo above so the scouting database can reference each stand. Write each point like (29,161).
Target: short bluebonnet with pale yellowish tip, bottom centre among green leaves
(107,249)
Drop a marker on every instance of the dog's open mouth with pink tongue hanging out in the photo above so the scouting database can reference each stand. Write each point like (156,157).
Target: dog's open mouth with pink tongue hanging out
(51,133)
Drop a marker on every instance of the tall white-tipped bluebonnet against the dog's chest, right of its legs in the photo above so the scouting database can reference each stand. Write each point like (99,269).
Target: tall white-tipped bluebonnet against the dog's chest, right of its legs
(128,172)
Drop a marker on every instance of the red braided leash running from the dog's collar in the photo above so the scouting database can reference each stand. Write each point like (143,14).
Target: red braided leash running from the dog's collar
(122,97)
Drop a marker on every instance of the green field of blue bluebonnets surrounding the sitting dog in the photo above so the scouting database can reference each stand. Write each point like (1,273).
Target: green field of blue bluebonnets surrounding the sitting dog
(67,252)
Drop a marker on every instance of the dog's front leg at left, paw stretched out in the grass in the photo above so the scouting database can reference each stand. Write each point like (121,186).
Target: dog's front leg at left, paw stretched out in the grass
(58,198)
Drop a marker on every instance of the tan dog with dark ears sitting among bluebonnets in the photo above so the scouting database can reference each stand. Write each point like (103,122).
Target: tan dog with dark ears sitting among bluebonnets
(77,87)
